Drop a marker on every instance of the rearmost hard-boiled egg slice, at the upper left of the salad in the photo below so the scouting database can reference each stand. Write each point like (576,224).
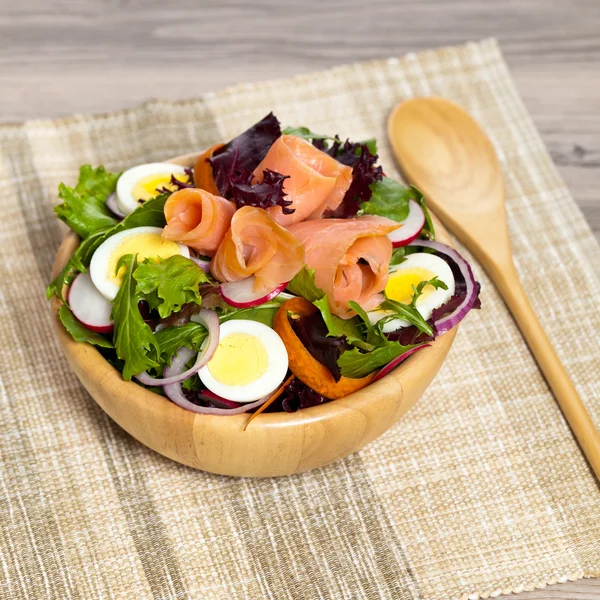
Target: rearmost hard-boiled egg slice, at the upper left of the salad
(141,183)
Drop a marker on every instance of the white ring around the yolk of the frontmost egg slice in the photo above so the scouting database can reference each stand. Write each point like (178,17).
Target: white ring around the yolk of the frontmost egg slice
(269,381)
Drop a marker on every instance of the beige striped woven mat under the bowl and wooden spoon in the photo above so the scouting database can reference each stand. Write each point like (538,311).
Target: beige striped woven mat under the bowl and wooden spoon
(480,489)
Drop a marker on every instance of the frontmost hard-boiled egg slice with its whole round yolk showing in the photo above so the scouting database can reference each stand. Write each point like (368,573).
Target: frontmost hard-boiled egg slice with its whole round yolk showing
(250,362)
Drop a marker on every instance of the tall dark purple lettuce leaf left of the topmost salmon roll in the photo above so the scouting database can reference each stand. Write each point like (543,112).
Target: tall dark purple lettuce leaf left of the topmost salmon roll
(244,153)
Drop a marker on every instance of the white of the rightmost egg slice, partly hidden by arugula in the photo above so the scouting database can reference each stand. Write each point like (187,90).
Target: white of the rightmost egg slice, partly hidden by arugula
(425,304)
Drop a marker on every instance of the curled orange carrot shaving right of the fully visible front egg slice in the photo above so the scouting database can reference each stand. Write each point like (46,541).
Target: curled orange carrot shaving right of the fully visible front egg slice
(301,362)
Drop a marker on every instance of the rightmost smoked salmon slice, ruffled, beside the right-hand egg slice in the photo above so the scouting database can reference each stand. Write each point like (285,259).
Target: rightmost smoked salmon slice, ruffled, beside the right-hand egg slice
(350,258)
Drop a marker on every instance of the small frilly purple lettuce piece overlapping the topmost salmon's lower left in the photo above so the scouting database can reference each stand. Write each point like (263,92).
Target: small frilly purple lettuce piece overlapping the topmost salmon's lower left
(269,192)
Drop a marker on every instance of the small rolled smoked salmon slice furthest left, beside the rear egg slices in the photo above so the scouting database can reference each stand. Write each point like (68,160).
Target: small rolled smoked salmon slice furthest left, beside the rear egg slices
(198,219)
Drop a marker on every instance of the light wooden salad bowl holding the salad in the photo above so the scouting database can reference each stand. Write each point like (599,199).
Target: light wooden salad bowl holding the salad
(274,443)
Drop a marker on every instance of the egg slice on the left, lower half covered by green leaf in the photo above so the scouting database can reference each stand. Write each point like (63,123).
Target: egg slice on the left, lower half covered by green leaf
(145,242)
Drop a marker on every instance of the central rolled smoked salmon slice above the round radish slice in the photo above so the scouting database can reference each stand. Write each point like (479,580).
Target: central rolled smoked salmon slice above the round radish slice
(256,245)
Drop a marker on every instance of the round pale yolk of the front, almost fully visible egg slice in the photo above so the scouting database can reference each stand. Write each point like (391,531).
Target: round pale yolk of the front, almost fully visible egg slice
(239,359)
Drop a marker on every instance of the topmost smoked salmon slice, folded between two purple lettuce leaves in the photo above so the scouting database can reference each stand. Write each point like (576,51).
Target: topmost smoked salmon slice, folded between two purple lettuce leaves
(317,182)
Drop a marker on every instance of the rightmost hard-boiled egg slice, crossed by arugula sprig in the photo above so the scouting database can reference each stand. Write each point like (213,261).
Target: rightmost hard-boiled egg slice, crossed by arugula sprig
(415,269)
